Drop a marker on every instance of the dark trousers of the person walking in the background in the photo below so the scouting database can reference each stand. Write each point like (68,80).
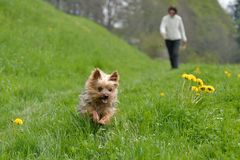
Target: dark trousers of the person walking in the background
(173,49)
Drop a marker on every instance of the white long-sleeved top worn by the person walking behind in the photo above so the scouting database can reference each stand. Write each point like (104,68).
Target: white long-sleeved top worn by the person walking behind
(172,28)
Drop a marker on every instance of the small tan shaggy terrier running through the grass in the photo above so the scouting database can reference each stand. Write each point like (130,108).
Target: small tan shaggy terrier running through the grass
(99,99)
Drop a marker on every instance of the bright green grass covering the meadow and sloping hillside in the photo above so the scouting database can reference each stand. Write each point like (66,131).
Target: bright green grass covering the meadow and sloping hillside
(45,58)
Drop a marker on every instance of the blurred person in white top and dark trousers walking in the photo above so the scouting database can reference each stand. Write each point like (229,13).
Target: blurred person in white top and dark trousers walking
(173,32)
